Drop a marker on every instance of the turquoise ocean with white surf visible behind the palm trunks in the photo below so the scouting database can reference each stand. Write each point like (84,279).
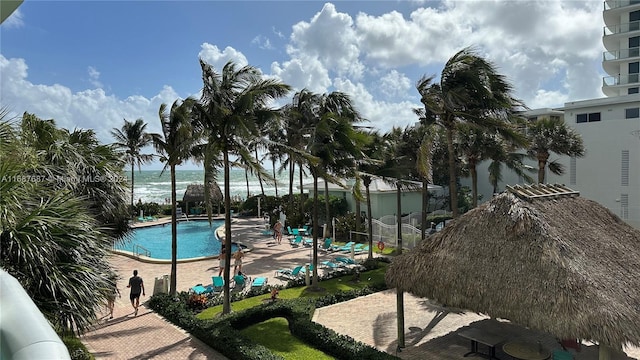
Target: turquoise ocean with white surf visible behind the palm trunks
(150,186)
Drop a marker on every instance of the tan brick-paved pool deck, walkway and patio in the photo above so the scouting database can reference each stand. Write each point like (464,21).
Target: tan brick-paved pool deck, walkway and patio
(430,332)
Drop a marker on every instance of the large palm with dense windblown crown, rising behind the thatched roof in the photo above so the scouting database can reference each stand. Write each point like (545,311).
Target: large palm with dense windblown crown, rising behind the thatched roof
(471,91)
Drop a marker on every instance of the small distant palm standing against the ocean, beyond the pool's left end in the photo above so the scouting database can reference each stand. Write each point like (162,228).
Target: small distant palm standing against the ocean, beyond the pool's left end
(132,137)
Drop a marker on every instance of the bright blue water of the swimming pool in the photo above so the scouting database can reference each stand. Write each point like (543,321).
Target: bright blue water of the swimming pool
(195,239)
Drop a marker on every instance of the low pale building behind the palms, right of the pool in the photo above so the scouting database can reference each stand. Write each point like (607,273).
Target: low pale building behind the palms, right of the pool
(383,197)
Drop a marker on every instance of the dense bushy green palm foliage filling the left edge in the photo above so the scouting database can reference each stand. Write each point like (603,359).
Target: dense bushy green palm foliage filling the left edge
(63,201)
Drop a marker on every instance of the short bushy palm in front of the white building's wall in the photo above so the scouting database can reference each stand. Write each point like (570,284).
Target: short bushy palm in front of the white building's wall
(551,134)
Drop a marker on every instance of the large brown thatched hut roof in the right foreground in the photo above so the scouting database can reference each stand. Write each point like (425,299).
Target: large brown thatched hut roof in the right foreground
(561,264)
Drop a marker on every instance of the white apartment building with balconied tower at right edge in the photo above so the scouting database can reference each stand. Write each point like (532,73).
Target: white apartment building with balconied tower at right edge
(609,173)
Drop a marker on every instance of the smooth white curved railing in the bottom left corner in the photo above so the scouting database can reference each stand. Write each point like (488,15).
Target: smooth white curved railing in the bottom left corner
(25,332)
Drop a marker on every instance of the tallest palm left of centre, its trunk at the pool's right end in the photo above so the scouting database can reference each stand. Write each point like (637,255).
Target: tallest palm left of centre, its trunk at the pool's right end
(233,107)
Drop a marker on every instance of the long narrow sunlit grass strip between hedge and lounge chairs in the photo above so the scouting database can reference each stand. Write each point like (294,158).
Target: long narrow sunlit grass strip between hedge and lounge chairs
(330,286)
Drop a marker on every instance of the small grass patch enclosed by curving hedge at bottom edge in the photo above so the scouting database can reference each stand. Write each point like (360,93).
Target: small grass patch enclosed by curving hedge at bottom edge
(274,335)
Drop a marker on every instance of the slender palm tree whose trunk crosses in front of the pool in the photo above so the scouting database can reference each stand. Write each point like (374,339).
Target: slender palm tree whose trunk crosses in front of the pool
(175,145)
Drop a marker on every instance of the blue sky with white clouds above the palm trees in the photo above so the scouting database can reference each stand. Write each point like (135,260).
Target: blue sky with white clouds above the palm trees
(92,64)
